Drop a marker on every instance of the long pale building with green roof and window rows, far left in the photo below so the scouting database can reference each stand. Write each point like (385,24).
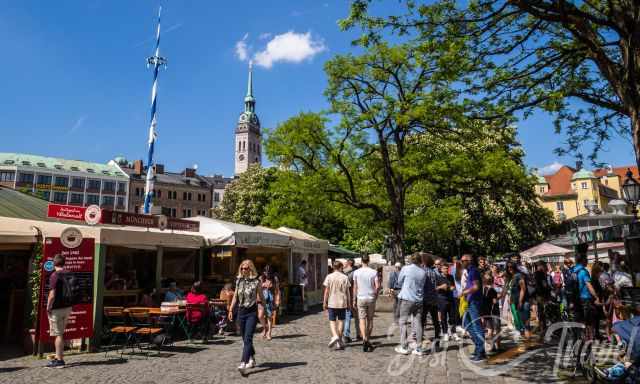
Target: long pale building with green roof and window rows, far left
(64,181)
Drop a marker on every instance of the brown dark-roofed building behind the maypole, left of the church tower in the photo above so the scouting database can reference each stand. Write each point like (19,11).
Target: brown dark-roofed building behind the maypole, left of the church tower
(176,194)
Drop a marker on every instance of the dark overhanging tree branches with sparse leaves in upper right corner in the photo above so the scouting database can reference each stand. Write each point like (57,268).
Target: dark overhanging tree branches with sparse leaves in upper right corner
(579,60)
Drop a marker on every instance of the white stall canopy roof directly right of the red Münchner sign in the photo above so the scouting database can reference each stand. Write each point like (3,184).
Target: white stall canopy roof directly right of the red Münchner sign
(219,232)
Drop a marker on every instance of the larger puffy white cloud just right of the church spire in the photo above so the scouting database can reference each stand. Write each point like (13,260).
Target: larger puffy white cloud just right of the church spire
(289,47)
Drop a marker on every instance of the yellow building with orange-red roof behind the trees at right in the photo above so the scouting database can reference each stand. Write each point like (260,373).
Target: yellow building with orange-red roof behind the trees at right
(569,192)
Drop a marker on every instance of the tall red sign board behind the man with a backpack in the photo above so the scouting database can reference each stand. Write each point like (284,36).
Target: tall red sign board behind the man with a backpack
(78,253)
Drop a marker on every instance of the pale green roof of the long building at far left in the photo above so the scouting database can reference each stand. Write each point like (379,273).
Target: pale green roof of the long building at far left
(53,163)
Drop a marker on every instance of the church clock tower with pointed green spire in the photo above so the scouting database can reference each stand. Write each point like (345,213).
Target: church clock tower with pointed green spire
(248,146)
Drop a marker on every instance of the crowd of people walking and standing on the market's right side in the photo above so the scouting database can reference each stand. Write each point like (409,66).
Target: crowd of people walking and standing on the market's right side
(472,297)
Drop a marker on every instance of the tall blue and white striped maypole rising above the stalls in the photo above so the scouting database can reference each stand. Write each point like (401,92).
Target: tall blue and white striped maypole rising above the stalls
(157,61)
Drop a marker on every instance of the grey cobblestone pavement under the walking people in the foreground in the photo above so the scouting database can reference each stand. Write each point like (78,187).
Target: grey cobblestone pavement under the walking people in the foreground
(297,354)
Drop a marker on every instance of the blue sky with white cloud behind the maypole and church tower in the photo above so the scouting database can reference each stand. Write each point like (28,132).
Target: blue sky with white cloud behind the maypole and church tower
(75,84)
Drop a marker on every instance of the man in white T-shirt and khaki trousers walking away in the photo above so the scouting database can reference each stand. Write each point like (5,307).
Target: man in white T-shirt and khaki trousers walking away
(365,293)
